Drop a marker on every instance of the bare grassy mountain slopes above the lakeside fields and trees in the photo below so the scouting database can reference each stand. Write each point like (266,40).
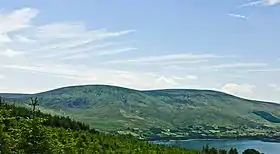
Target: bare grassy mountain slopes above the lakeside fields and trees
(110,108)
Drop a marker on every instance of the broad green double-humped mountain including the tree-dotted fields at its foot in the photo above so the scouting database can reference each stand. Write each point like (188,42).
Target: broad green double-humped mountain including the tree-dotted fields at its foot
(160,113)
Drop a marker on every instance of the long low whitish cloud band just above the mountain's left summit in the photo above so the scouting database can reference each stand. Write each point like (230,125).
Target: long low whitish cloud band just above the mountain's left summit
(120,78)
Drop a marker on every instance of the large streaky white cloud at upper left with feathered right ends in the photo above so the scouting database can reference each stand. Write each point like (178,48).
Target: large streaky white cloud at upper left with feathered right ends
(55,40)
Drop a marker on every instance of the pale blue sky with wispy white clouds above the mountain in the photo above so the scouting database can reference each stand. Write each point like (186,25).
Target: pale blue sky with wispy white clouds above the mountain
(230,46)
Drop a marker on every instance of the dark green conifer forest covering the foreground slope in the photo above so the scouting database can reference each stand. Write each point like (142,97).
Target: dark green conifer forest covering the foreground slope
(30,131)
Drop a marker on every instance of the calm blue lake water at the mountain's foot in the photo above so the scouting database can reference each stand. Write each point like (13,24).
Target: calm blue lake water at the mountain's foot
(240,145)
